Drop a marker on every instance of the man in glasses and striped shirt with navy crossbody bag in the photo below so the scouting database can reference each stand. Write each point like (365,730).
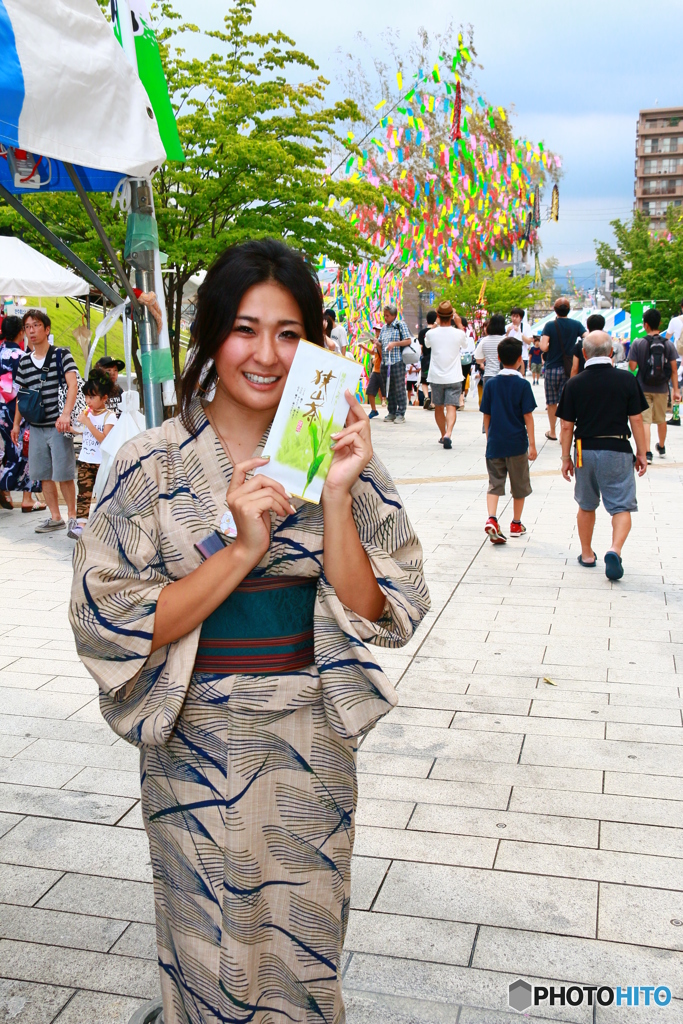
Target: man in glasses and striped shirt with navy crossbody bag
(52,457)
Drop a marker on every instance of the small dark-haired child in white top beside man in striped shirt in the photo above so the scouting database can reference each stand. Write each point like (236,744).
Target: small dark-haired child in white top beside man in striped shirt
(98,421)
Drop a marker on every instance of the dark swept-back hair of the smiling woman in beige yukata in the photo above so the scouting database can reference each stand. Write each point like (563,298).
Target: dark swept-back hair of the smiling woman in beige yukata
(236,271)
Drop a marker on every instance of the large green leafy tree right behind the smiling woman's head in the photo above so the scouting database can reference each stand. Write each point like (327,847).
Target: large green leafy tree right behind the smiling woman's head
(255,155)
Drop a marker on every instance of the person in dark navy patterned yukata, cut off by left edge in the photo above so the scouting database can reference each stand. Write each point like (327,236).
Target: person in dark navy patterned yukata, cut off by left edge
(15,470)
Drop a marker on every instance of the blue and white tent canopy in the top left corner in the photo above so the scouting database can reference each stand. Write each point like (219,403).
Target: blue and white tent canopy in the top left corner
(68,94)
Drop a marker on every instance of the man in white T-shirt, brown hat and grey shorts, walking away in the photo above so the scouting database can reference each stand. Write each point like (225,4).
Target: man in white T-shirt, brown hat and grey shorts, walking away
(446,372)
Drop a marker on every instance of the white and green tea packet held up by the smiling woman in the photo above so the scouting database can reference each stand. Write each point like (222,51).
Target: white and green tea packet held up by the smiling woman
(312,409)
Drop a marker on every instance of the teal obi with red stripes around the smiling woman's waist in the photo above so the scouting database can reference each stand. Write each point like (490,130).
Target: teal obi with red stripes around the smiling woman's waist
(266,627)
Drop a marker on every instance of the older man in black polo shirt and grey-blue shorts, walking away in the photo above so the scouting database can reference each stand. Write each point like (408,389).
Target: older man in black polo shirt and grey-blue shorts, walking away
(601,403)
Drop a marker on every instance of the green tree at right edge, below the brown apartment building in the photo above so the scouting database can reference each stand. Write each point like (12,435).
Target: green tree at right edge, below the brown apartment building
(645,267)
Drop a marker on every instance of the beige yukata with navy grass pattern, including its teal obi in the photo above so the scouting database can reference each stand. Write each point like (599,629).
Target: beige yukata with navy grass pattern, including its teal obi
(247,727)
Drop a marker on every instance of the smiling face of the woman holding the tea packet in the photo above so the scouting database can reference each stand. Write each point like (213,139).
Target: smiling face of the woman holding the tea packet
(255,359)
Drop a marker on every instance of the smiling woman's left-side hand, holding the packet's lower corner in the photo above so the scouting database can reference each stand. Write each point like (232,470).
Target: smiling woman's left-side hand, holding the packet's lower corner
(251,503)
